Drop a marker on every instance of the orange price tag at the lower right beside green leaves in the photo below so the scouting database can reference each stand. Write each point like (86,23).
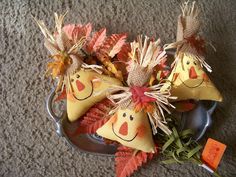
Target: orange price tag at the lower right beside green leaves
(212,153)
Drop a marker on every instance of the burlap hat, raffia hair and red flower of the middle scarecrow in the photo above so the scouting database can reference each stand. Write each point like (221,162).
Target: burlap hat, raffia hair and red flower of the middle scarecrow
(137,95)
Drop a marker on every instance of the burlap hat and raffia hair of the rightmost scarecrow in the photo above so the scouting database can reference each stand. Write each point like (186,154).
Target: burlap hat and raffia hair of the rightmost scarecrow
(187,39)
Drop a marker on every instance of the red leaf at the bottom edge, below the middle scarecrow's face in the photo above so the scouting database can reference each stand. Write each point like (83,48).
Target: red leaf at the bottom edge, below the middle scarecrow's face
(127,162)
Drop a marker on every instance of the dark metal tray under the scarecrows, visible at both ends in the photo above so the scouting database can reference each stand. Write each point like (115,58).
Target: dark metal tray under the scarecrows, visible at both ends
(198,119)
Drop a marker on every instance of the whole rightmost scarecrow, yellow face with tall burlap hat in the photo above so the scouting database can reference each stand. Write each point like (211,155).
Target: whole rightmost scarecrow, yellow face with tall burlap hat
(188,79)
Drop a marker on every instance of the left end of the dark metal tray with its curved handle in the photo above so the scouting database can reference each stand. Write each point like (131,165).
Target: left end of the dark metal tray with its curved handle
(91,143)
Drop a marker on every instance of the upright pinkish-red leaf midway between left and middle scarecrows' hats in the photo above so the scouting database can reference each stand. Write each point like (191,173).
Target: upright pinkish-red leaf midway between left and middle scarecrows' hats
(96,41)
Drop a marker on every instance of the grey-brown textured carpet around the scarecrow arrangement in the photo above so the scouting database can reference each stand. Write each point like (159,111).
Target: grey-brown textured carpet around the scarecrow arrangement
(29,145)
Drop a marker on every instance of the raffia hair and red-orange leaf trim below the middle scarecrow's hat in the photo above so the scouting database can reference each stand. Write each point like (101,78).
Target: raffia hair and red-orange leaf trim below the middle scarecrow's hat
(154,103)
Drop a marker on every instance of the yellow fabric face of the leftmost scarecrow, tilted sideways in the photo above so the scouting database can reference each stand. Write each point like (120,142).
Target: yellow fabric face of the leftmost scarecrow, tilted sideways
(85,84)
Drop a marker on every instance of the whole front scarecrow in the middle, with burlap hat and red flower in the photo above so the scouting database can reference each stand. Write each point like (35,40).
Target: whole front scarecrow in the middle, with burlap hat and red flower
(139,106)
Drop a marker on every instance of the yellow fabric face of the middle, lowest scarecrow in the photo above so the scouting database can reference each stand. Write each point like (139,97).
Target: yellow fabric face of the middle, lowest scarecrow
(138,134)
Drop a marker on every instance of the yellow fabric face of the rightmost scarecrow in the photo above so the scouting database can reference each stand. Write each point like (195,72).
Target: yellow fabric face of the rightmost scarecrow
(184,87)
